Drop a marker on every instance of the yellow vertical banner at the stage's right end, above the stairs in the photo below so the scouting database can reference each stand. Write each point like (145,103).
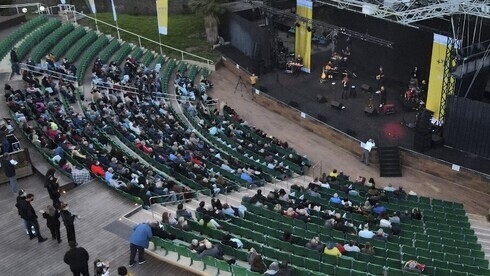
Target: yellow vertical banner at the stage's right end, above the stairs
(434,93)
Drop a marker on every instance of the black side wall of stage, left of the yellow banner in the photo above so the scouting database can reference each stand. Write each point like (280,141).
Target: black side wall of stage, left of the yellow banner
(245,35)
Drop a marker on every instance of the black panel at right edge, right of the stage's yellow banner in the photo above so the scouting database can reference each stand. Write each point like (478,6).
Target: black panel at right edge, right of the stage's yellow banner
(467,125)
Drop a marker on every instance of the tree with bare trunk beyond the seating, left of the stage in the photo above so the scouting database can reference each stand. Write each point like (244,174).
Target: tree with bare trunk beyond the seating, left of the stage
(209,9)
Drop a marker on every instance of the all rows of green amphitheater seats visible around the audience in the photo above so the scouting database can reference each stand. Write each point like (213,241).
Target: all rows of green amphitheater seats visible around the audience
(448,250)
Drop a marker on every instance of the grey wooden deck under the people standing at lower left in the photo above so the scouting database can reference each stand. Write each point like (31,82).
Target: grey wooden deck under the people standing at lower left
(98,207)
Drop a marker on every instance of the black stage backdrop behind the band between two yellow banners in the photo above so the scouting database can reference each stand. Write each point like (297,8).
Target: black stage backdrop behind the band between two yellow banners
(412,47)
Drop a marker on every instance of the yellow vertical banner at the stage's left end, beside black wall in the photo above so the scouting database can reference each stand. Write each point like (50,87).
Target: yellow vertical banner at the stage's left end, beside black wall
(302,46)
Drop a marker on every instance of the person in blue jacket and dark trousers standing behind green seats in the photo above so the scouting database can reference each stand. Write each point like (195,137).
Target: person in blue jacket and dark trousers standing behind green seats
(139,240)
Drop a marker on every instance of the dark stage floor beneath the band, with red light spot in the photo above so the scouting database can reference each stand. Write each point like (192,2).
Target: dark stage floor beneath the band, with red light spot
(385,129)
